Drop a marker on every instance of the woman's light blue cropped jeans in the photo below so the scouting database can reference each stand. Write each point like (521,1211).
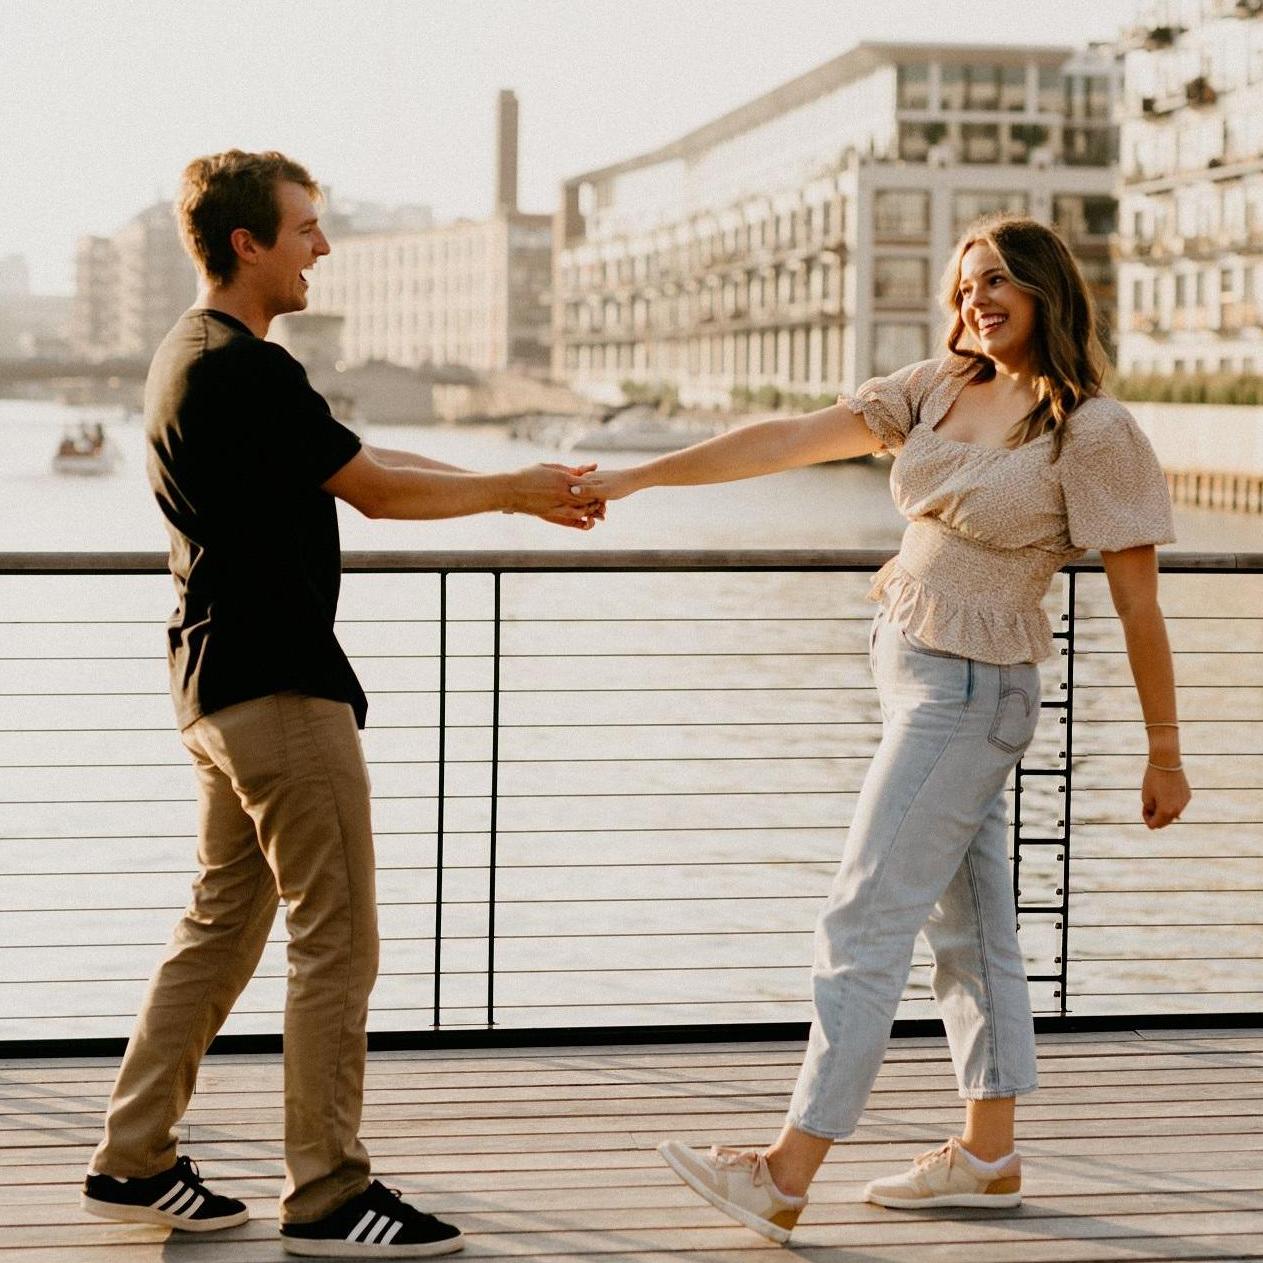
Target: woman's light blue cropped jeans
(926,849)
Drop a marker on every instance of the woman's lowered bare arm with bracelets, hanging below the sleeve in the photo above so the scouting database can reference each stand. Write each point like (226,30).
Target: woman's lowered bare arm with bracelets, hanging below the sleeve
(1134,585)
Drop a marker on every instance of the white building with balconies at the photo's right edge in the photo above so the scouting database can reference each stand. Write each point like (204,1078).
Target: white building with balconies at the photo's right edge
(1190,239)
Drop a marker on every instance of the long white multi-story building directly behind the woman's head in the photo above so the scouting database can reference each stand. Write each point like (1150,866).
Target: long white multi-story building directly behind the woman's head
(798,242)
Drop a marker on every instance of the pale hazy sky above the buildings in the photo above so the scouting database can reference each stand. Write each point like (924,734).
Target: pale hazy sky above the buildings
(395,100)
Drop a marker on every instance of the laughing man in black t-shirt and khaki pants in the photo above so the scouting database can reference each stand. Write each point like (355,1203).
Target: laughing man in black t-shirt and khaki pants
(246,462)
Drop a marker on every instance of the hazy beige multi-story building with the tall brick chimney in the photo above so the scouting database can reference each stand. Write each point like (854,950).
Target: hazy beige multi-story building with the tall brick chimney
(472,294)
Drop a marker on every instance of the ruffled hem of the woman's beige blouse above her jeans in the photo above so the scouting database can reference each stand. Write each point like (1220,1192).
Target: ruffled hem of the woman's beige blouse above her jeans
(972,631)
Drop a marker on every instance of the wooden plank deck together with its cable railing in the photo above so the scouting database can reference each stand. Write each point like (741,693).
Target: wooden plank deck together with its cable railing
(589,945)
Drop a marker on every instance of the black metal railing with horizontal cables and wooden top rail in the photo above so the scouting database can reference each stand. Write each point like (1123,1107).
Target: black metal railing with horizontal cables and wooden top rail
(611,790)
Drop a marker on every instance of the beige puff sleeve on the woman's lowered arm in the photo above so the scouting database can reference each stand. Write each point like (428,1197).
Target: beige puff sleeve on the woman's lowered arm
(1115,489)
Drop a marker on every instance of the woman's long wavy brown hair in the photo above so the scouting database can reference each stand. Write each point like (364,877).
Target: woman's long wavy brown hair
(1070,359)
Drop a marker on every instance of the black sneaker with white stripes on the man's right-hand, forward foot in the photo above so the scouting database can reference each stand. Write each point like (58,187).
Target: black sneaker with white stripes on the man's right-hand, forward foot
(376,1224)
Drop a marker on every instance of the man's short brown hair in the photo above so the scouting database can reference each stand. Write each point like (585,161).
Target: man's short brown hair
(228,191)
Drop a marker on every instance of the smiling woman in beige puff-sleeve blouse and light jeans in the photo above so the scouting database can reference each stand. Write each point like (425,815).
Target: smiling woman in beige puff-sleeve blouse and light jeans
(1010,463)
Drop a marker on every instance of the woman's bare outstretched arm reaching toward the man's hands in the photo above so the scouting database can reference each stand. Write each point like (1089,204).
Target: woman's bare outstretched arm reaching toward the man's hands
(833,434)
